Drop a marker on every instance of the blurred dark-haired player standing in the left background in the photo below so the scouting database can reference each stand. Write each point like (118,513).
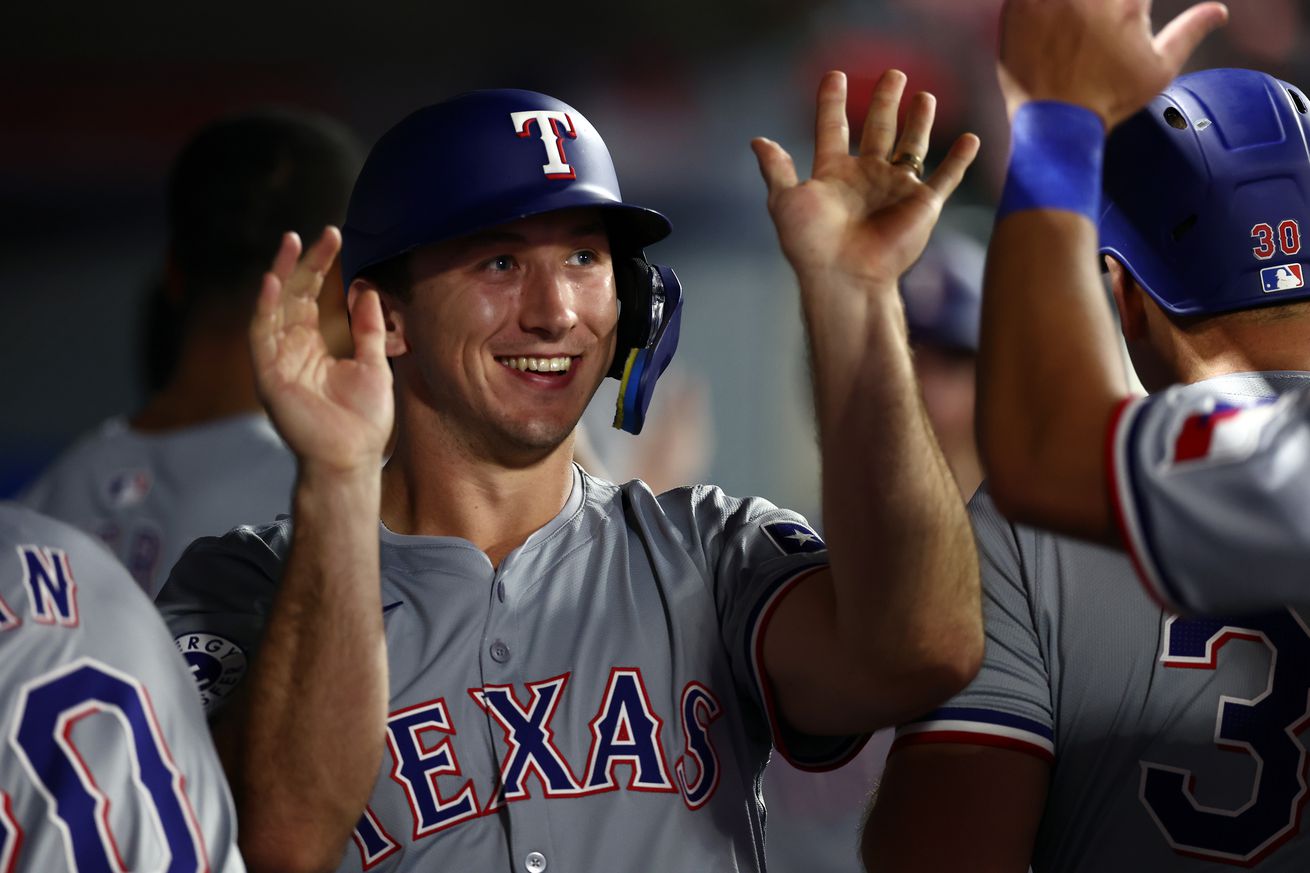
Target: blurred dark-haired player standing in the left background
(201,456)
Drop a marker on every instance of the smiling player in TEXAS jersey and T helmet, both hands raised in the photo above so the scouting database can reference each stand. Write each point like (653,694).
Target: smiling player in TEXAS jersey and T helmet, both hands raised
(552,672)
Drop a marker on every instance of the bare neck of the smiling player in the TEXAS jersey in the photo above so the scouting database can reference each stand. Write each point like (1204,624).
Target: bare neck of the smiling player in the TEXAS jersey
(438,488)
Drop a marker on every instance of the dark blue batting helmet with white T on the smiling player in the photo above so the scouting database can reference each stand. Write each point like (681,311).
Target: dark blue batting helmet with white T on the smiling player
(488,158)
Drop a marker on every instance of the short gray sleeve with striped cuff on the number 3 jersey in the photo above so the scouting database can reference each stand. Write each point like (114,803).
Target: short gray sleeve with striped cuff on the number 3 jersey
(1009,703)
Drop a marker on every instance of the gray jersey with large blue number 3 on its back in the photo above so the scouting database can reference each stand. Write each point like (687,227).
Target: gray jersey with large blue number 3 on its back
(1174,743)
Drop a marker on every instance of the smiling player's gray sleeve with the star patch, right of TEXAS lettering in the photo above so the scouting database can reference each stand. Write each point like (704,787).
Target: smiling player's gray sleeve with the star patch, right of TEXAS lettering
(759,554)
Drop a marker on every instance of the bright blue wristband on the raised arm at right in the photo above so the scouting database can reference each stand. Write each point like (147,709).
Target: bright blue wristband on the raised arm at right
(1055,161)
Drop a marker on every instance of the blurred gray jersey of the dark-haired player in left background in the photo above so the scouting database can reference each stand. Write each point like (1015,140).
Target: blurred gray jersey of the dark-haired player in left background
(149,496)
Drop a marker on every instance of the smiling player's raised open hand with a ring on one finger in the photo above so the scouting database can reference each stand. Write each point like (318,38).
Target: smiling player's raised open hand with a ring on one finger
(861,217)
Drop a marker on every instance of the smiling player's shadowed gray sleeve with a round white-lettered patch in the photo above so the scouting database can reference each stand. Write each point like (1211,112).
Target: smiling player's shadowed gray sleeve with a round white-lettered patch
(217,602)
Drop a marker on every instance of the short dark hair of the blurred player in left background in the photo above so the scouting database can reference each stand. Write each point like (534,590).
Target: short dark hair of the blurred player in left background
(246,180)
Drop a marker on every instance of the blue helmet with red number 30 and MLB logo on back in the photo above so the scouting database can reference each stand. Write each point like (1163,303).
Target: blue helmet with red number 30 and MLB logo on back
(1207,193)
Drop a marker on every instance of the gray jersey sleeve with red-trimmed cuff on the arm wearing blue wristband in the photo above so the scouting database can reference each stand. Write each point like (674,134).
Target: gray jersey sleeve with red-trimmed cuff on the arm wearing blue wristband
(1211,487)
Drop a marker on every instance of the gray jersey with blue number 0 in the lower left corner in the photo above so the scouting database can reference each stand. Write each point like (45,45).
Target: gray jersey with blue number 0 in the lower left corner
(107,762)
